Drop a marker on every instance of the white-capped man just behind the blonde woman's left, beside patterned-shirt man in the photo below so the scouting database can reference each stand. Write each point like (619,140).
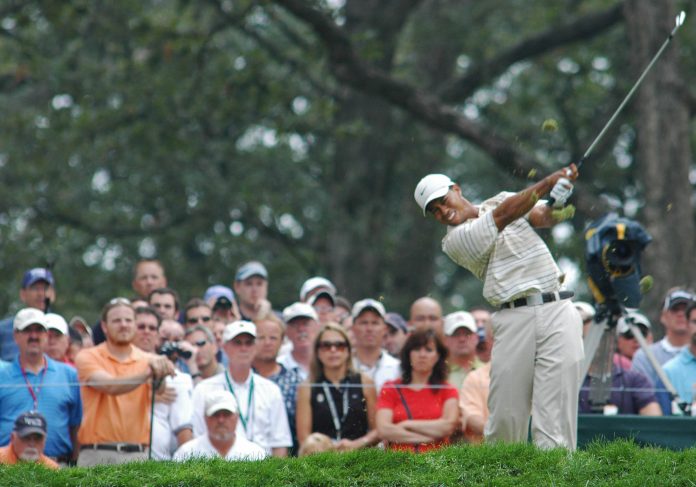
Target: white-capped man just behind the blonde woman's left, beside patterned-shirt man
(301,328)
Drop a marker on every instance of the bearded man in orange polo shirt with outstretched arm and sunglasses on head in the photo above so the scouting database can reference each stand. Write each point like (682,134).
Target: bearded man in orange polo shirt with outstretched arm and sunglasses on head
(117,392)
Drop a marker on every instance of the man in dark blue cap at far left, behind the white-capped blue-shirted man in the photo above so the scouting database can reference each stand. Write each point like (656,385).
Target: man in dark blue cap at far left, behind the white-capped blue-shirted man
(37,287)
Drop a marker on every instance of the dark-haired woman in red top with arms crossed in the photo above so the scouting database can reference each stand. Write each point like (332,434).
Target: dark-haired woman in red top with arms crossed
(419,411)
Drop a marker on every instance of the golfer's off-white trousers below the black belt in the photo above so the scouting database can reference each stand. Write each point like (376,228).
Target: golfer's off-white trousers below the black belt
(536,368)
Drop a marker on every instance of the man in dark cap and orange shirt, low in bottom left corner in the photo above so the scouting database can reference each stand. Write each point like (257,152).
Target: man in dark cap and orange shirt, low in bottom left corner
(27,441)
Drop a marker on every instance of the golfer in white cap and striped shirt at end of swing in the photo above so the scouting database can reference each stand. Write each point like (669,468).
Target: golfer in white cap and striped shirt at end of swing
(537,347)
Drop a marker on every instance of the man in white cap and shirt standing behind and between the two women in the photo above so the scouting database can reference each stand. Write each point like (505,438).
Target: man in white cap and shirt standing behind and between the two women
(369,330)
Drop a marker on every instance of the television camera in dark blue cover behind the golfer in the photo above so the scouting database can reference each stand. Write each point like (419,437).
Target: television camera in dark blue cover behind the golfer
(613,247)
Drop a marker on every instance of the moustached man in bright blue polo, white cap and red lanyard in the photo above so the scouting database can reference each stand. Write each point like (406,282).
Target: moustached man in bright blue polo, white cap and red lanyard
(34,381)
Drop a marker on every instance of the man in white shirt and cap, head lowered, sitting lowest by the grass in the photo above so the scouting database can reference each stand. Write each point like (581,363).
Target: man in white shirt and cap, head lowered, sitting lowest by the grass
(220,440)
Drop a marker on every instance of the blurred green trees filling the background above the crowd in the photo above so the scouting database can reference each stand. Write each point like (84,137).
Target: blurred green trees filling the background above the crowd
(206,133)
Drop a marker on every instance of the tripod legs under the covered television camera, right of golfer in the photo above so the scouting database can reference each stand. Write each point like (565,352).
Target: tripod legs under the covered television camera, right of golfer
(600,345)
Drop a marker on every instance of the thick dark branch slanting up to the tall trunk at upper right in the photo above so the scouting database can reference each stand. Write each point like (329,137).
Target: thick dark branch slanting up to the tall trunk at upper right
(579,29)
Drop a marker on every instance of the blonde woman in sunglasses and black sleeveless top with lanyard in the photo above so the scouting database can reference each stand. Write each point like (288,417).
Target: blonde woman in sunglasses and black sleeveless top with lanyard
(336,401)
